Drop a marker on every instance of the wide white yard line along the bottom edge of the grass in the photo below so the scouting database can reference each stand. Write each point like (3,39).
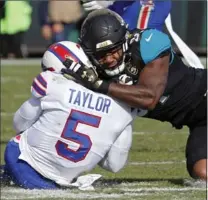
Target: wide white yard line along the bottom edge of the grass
(17,193)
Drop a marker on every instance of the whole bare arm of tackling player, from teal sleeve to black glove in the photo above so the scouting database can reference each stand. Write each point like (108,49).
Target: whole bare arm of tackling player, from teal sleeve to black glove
(151,85)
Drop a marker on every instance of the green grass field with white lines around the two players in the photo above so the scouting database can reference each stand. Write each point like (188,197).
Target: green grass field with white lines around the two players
(156,169)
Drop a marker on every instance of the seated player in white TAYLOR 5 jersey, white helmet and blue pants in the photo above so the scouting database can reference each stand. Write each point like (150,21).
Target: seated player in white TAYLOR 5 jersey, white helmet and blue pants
(66,129)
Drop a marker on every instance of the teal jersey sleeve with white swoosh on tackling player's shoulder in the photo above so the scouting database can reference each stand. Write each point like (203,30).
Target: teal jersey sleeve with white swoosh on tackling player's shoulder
(152,44)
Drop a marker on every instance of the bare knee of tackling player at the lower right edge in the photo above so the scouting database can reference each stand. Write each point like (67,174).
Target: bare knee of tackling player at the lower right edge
(199,170)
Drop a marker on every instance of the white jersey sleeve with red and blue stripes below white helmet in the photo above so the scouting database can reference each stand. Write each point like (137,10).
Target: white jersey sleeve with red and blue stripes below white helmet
(40,84)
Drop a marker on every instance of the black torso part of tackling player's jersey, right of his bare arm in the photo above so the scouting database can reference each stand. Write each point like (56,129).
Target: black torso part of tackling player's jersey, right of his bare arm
(186,89)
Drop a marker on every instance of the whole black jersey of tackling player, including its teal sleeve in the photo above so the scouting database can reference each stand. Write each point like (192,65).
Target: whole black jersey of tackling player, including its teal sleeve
(185,88)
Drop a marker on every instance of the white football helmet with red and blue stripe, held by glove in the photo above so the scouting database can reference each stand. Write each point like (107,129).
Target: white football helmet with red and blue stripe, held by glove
(58,52)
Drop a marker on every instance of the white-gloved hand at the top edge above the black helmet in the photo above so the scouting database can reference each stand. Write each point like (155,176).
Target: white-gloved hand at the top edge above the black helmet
(90,5)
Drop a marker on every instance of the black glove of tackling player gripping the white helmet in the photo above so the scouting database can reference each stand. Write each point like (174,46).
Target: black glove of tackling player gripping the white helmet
(87,76)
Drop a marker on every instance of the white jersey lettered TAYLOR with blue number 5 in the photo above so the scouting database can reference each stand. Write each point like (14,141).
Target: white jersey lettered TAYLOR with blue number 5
(75,124)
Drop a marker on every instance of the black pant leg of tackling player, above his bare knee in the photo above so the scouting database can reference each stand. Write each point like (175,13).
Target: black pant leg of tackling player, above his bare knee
(196,148)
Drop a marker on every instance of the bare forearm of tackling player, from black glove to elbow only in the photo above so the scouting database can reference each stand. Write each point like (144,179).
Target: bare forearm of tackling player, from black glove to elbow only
(134,95)
